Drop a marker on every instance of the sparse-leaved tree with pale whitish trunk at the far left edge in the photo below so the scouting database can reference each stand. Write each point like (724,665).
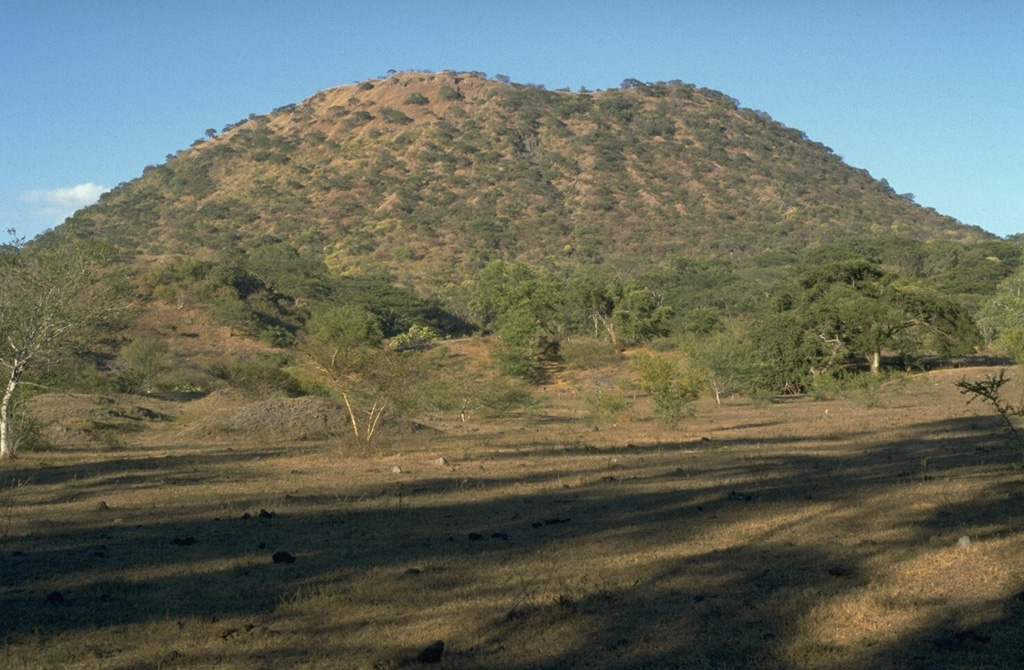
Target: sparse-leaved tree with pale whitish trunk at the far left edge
(55,292)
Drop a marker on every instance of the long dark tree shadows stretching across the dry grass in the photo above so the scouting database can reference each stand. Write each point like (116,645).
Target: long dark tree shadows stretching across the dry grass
(690,559)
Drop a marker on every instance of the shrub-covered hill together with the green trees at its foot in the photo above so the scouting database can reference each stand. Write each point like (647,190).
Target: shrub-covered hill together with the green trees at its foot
(346,237)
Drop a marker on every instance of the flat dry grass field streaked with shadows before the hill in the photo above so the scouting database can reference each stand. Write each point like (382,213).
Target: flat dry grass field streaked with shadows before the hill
(791,535)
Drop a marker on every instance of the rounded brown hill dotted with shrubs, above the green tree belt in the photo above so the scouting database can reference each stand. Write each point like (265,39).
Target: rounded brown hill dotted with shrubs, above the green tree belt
(435,176)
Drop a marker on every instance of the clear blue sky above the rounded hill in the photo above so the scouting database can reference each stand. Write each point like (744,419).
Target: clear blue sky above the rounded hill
(927,95)
